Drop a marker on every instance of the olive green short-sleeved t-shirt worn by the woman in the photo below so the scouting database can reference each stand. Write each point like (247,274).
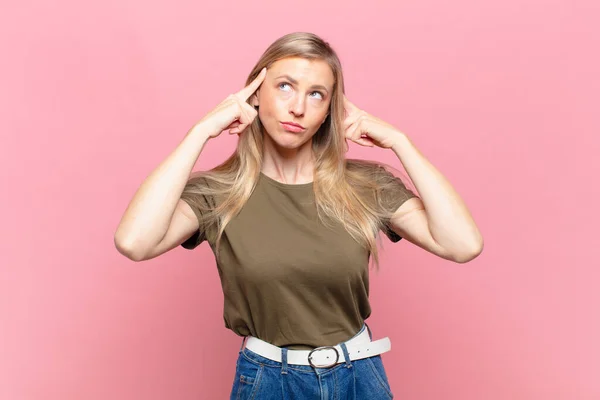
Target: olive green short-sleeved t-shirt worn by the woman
(287,278)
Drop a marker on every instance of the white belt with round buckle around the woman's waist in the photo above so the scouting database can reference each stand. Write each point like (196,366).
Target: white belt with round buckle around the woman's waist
(359,347)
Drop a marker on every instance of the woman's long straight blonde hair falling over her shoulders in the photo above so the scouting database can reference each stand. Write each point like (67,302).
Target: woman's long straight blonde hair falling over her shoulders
(350,191)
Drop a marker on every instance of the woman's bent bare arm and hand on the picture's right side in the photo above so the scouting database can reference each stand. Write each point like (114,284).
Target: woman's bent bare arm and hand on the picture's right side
(439,221)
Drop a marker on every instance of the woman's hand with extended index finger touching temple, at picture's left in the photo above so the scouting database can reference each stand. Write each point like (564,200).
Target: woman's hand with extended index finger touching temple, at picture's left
(233,113)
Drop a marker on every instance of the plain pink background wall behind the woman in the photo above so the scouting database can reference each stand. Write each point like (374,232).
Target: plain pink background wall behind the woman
(502,97)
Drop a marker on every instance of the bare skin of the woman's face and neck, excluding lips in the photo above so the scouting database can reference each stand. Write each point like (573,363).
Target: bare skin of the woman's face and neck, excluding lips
(304,99)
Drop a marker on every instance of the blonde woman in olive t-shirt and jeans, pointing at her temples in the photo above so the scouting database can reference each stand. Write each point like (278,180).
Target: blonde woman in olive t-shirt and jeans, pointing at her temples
(293,223)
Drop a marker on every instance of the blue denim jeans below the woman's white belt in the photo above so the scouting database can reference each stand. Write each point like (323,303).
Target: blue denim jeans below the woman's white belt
(260,378)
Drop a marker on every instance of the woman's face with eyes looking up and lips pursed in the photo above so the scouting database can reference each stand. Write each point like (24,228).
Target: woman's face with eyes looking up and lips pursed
(296,91)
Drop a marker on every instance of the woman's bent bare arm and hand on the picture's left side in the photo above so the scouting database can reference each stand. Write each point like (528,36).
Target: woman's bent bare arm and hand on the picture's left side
(153,213)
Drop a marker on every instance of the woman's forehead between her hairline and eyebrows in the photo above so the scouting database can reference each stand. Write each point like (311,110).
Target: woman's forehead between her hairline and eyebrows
(310,72)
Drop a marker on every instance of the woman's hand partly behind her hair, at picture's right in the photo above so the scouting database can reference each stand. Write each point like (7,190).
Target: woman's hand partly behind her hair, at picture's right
(367,130)
